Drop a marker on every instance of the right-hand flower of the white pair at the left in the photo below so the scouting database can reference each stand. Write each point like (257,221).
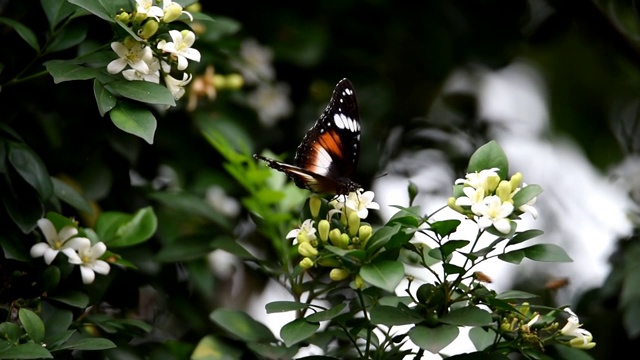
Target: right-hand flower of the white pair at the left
(87,256)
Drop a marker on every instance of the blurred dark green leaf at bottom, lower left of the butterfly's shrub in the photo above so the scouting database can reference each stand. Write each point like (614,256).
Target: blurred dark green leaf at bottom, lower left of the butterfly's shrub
(240,325)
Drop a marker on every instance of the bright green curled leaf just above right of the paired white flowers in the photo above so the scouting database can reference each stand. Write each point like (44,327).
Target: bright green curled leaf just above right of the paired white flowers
(118,229)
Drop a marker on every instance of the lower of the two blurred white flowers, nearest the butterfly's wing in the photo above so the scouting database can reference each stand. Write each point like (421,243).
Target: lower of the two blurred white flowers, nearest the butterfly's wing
(270,102)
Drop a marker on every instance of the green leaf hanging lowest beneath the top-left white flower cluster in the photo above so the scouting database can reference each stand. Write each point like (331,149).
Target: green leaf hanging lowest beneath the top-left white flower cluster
(134,119)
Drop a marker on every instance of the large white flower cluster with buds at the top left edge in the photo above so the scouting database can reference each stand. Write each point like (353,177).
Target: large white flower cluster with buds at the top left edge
(151,54)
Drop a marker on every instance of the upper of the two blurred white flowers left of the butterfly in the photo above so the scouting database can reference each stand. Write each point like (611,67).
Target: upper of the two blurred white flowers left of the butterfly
(255,63)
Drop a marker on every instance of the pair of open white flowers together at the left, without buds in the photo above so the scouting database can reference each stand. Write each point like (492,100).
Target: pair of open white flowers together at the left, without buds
(78,250)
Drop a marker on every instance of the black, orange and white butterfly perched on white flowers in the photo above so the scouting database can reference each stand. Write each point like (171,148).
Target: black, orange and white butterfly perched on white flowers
(328,154)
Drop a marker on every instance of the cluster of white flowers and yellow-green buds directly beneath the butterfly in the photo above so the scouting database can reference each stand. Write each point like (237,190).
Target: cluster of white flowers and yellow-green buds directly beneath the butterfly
(340,227)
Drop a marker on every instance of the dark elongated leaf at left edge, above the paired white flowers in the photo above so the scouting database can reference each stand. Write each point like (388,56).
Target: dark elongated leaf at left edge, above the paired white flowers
(31,168)
